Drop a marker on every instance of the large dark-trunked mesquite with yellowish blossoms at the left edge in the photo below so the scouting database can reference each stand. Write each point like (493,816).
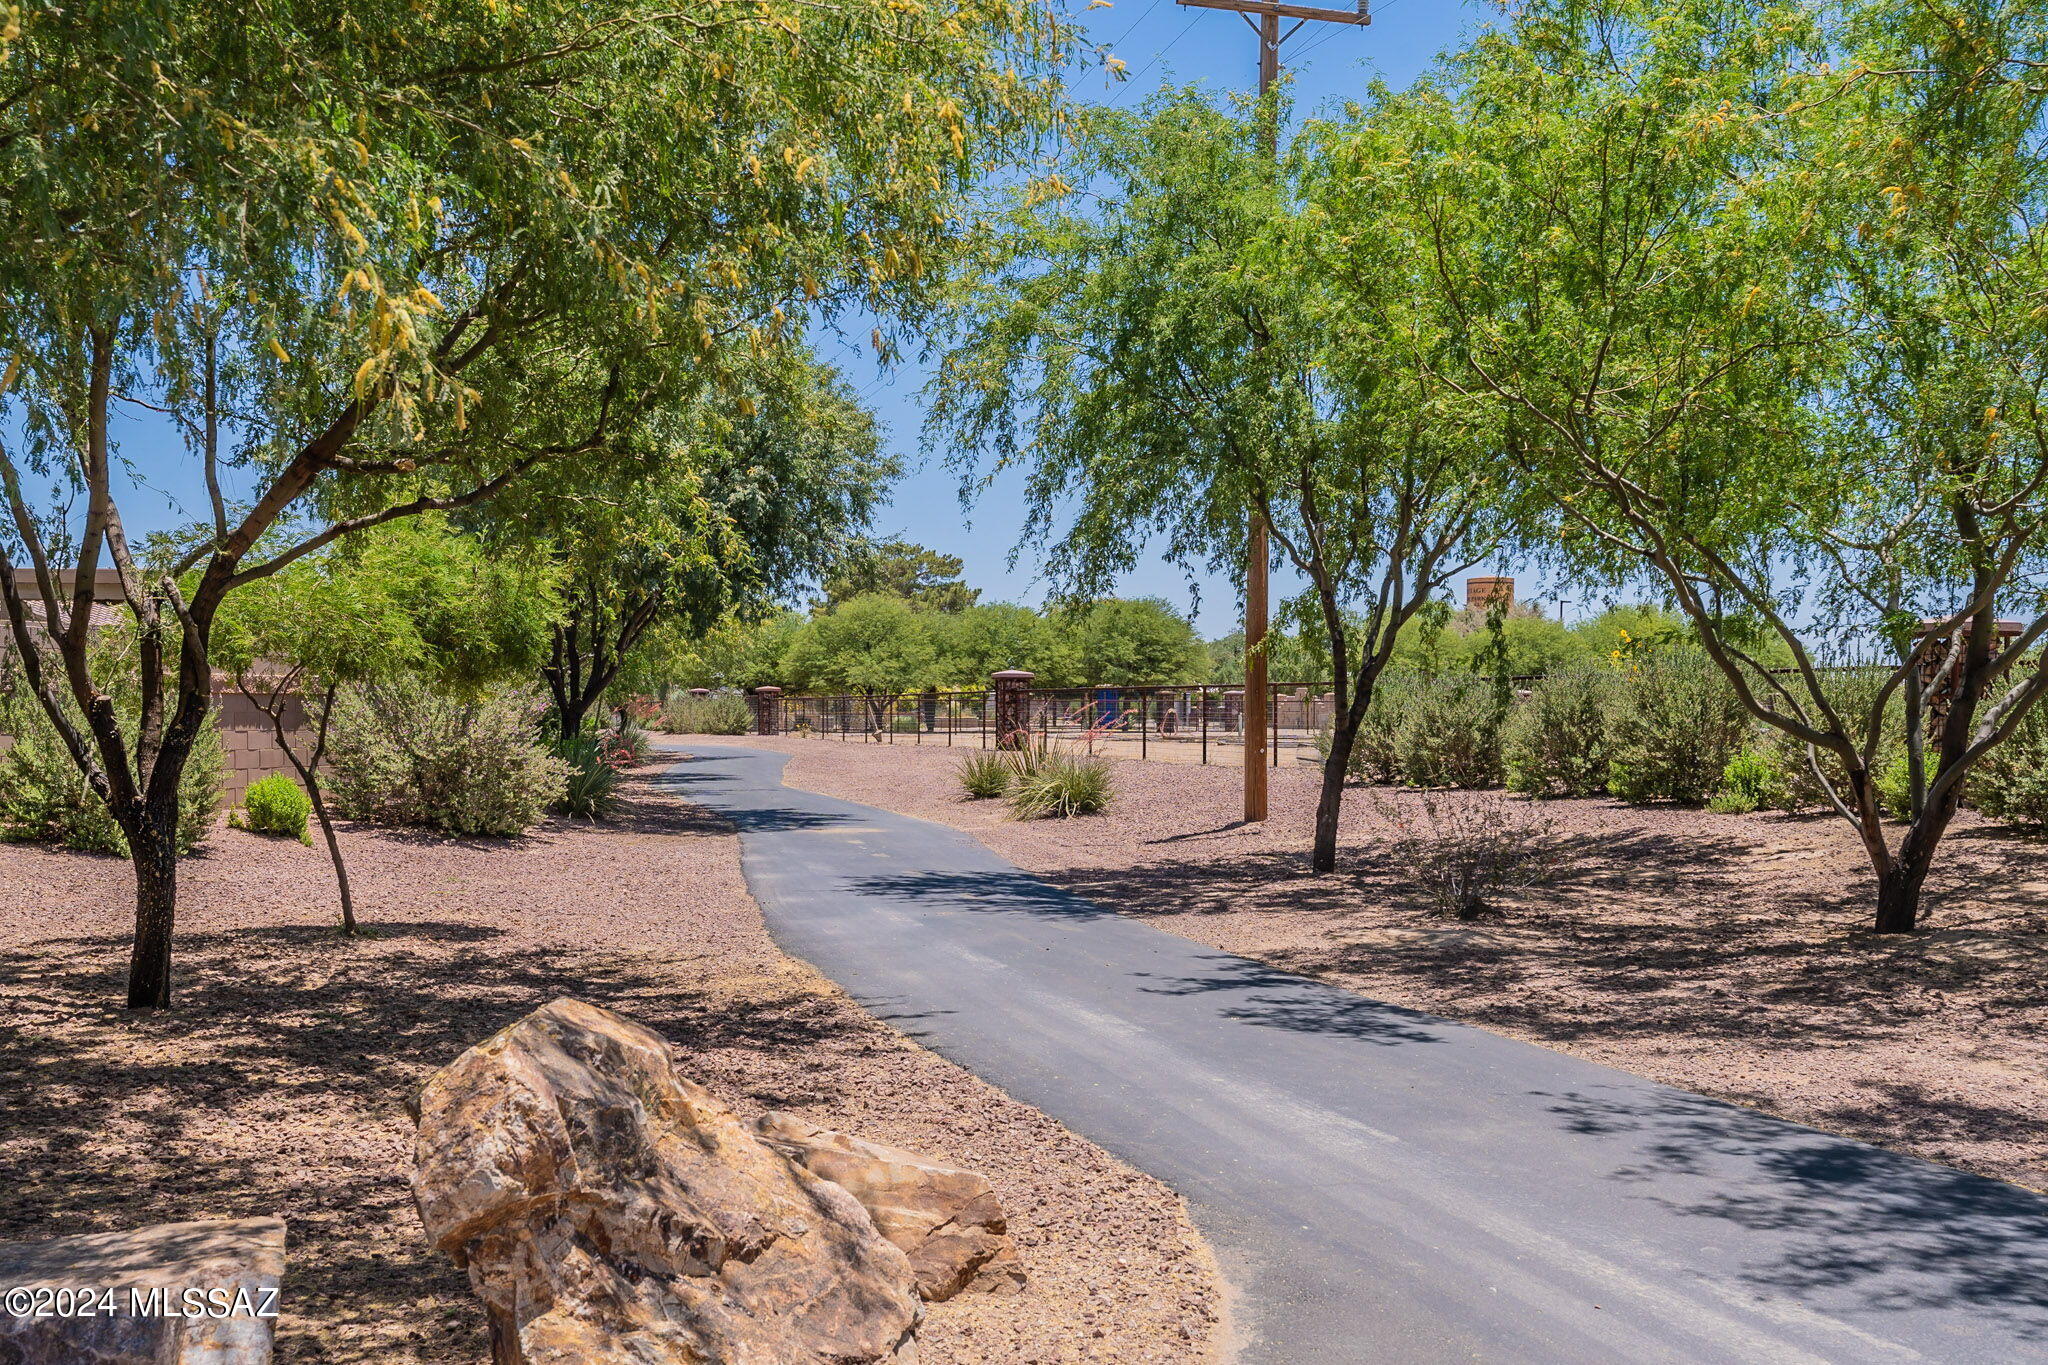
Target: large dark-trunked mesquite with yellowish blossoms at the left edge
(390,259)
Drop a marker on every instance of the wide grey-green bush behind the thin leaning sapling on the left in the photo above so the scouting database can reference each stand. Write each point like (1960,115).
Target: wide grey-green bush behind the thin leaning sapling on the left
(404,754)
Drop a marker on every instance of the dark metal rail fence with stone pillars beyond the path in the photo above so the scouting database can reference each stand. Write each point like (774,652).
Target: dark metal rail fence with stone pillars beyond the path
(1195,723)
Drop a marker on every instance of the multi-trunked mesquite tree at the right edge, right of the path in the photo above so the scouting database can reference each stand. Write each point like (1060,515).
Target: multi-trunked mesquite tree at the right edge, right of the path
(1758,296)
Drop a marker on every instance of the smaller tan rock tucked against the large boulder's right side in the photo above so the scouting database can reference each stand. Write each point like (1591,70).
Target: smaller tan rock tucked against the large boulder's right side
(945,1219)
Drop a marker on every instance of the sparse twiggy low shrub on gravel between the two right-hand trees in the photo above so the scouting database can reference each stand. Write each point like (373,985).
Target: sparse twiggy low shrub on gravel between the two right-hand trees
(1467,850)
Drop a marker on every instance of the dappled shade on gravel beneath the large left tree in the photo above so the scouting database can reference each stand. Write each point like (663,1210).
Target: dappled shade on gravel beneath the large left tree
(120,1120)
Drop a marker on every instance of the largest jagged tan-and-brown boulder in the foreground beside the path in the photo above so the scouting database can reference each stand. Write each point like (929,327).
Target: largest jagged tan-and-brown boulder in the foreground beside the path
(611,1210)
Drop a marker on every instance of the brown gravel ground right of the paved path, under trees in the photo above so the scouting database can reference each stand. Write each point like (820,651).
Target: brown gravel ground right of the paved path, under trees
(1717,953)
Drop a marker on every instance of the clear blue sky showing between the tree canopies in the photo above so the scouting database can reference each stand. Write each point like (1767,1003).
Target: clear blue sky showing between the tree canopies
(1162,42)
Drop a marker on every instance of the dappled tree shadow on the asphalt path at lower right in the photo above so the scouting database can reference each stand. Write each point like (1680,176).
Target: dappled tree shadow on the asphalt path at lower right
(1871,1229)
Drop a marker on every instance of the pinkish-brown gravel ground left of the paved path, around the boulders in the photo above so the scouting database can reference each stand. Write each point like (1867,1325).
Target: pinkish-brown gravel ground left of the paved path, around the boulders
(278,1084)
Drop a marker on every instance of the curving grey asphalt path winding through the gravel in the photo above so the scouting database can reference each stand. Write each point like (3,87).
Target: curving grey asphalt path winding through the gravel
(1379,1184)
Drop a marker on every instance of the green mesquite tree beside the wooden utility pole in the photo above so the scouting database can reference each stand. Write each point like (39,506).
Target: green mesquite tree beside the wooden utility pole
(1166,357)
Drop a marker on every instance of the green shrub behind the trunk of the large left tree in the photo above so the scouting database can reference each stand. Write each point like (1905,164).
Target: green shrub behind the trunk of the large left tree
(44,799)
